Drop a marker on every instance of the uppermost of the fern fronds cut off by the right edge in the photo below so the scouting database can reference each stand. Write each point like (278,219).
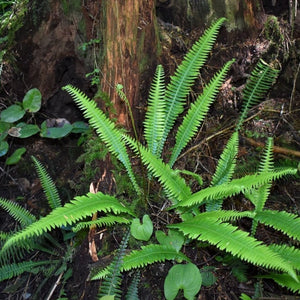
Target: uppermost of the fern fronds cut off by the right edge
(285,222)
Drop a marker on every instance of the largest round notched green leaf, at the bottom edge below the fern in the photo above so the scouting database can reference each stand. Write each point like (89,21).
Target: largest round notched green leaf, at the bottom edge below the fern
(186,277)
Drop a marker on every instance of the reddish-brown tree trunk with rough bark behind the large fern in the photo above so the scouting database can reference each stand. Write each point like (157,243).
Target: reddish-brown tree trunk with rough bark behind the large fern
(129,49)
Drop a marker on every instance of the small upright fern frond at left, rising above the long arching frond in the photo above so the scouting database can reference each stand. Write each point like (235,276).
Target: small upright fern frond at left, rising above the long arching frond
(48,185)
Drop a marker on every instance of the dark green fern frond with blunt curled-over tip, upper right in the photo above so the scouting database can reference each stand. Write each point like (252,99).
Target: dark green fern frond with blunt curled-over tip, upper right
(261,79)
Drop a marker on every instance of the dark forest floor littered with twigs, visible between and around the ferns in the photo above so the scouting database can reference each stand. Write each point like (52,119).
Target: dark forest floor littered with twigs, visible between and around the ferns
(277,116)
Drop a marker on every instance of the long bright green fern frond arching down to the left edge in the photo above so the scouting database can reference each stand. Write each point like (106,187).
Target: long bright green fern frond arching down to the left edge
(77,209)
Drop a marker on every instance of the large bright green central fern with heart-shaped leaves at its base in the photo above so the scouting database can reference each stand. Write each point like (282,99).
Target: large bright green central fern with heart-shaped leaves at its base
(200,215)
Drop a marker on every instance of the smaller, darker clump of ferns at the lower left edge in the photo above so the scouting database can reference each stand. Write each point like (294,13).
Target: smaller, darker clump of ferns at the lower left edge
(20,259)
